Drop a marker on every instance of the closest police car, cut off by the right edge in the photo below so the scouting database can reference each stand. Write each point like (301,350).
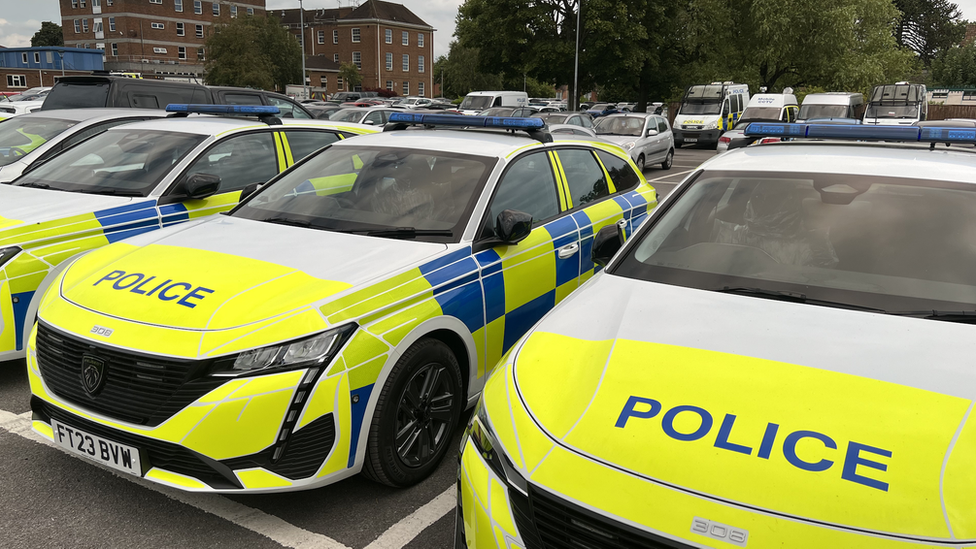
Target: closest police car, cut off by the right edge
(778,358)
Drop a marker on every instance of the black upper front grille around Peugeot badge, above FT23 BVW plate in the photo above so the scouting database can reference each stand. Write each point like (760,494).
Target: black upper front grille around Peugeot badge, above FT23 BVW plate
(139,389)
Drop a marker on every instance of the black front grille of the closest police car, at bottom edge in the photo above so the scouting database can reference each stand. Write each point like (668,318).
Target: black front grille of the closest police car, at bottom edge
(546,521)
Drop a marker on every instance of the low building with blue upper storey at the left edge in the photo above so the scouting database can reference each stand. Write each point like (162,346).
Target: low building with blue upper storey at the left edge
(23,68)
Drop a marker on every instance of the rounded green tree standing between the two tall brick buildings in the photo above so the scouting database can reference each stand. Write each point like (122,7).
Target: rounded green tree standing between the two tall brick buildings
(254,52)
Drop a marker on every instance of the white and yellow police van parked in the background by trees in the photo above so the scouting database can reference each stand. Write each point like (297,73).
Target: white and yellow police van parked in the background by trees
(707,110)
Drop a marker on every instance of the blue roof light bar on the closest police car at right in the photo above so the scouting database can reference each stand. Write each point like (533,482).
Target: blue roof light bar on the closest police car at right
(863,132)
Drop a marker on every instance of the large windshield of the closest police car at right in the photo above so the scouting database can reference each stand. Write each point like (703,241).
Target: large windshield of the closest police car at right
(869,242)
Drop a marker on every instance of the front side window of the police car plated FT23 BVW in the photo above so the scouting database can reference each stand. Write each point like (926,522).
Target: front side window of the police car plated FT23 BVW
(528,186)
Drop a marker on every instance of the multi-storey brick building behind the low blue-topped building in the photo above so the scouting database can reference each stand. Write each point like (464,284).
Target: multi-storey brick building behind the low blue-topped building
(152,37)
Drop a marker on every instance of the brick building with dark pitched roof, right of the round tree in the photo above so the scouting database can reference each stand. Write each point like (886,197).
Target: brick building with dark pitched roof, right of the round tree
(393,48)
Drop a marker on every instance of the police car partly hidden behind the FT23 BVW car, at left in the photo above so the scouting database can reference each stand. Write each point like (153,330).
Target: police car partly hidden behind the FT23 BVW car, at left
(132,179)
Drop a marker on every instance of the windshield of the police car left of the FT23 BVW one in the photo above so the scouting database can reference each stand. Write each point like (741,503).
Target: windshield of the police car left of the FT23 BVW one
(121,162)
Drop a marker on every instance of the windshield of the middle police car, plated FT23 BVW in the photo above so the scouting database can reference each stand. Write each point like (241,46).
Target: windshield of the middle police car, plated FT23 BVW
(355,189)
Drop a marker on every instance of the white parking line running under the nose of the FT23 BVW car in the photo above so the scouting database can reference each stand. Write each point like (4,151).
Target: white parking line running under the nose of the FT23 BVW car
(252,519)
